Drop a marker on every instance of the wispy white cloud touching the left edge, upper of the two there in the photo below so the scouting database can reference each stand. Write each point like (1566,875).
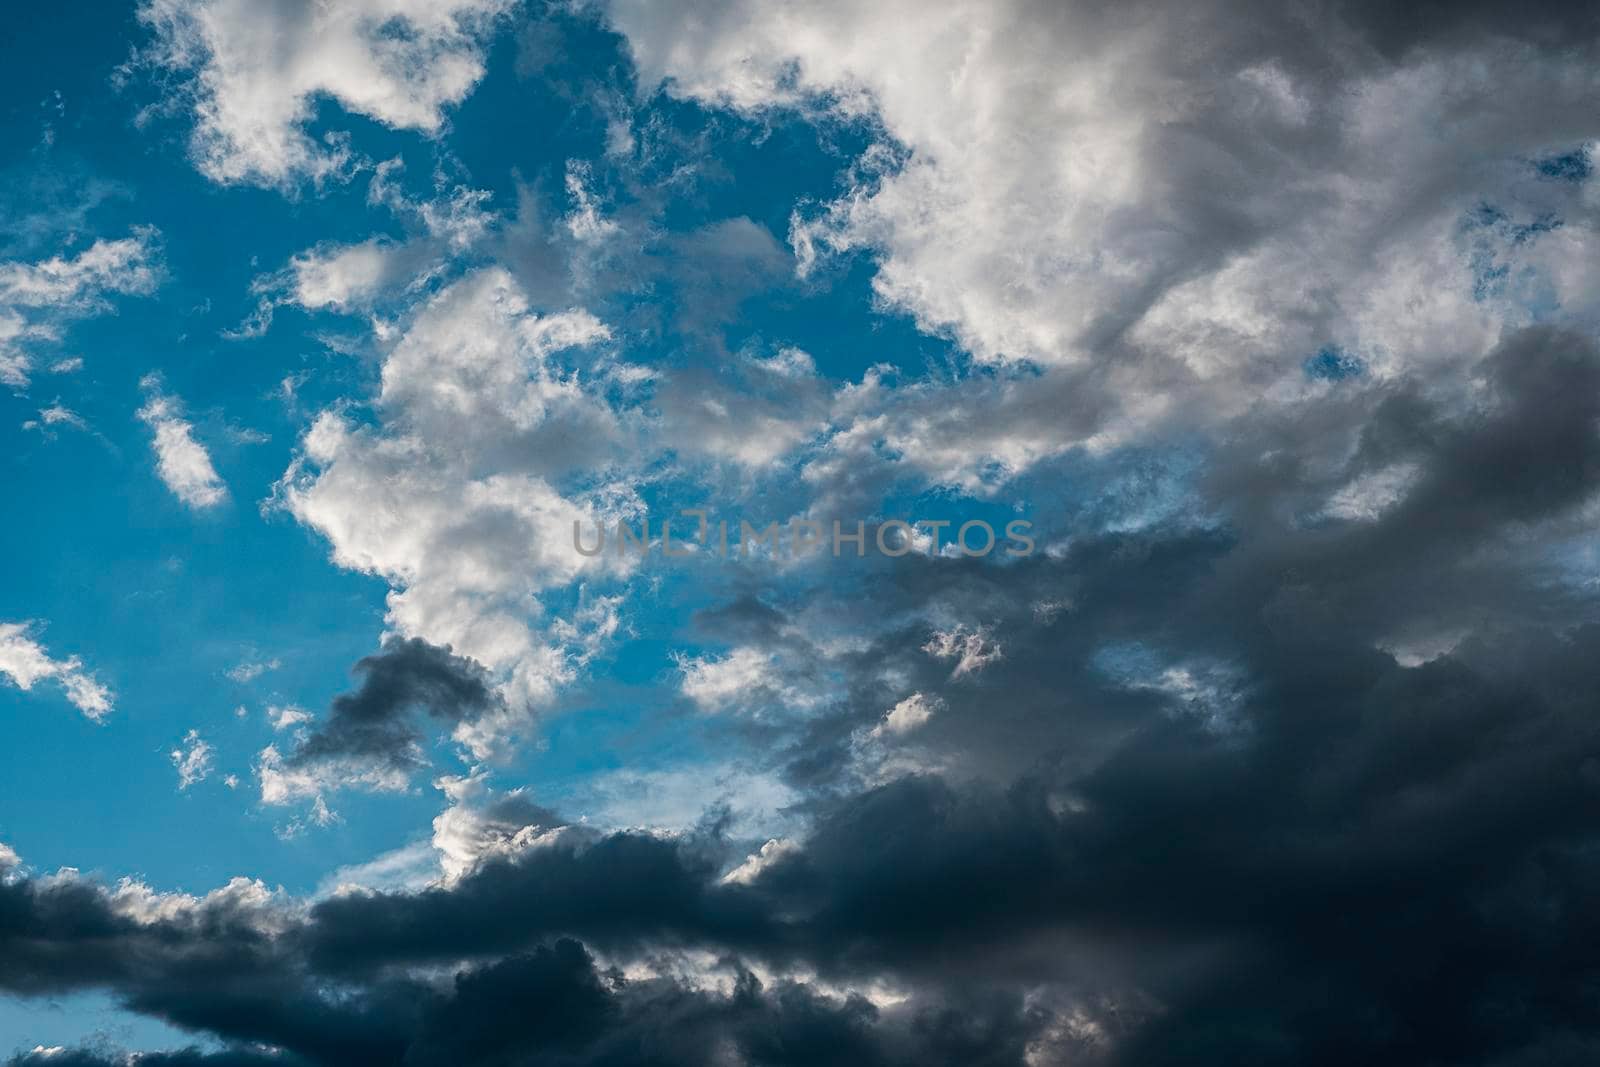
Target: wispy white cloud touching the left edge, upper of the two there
(38,298)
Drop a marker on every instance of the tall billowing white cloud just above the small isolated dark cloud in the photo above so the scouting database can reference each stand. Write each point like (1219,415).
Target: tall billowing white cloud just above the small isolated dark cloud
(450,495)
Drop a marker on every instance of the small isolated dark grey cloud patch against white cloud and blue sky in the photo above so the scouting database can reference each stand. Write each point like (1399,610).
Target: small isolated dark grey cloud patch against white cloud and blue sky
(377,722)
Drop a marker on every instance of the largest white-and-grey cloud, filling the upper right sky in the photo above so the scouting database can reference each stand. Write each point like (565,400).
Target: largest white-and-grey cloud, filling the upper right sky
(1159,196)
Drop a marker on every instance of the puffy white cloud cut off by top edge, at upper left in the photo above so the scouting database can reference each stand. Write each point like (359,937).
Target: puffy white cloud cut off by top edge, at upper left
(260,70)
